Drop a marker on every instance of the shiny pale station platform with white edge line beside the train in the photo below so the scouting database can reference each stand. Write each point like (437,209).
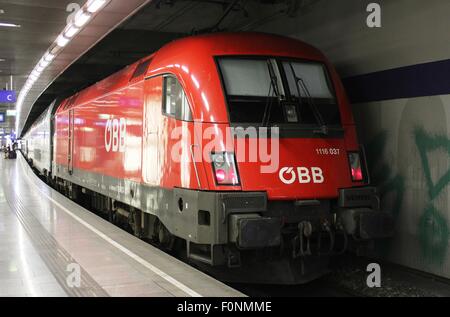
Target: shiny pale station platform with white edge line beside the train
(46,240)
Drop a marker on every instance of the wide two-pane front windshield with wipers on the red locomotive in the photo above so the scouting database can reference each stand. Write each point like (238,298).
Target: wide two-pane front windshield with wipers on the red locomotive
(276,92)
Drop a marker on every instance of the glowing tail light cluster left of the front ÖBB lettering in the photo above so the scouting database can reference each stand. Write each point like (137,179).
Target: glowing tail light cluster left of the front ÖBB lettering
(225,170)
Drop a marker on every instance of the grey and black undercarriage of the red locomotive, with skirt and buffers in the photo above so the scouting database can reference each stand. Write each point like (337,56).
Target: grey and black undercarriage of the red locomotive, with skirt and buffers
(244,237)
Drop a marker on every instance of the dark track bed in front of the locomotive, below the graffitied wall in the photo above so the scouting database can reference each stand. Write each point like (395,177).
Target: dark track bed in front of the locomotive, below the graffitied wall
(348,279)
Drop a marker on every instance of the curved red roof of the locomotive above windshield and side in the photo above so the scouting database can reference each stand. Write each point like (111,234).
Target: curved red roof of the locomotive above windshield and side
(216,44)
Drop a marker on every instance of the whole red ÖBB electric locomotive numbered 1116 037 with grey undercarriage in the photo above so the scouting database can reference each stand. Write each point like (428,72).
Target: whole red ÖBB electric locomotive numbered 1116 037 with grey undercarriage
(240,145)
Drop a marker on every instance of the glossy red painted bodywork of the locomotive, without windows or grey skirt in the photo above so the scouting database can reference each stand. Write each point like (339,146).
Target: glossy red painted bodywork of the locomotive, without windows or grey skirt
(147,158)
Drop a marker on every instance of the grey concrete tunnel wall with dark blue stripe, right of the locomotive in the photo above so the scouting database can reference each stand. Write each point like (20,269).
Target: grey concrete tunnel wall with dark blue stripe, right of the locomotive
(407,138)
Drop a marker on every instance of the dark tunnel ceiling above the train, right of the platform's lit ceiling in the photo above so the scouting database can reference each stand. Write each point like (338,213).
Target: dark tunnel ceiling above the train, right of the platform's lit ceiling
(160,22)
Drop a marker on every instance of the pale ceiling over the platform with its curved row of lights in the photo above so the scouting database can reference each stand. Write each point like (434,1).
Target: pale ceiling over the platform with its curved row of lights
(29,29)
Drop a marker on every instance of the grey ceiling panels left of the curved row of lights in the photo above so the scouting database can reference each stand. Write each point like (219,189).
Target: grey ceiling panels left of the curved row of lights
(40,21)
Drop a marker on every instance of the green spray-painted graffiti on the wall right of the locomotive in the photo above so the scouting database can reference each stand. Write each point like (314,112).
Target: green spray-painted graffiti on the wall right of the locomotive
(432,228)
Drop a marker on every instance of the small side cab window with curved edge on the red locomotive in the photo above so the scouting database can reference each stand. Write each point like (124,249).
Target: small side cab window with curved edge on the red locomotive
(175,100)
